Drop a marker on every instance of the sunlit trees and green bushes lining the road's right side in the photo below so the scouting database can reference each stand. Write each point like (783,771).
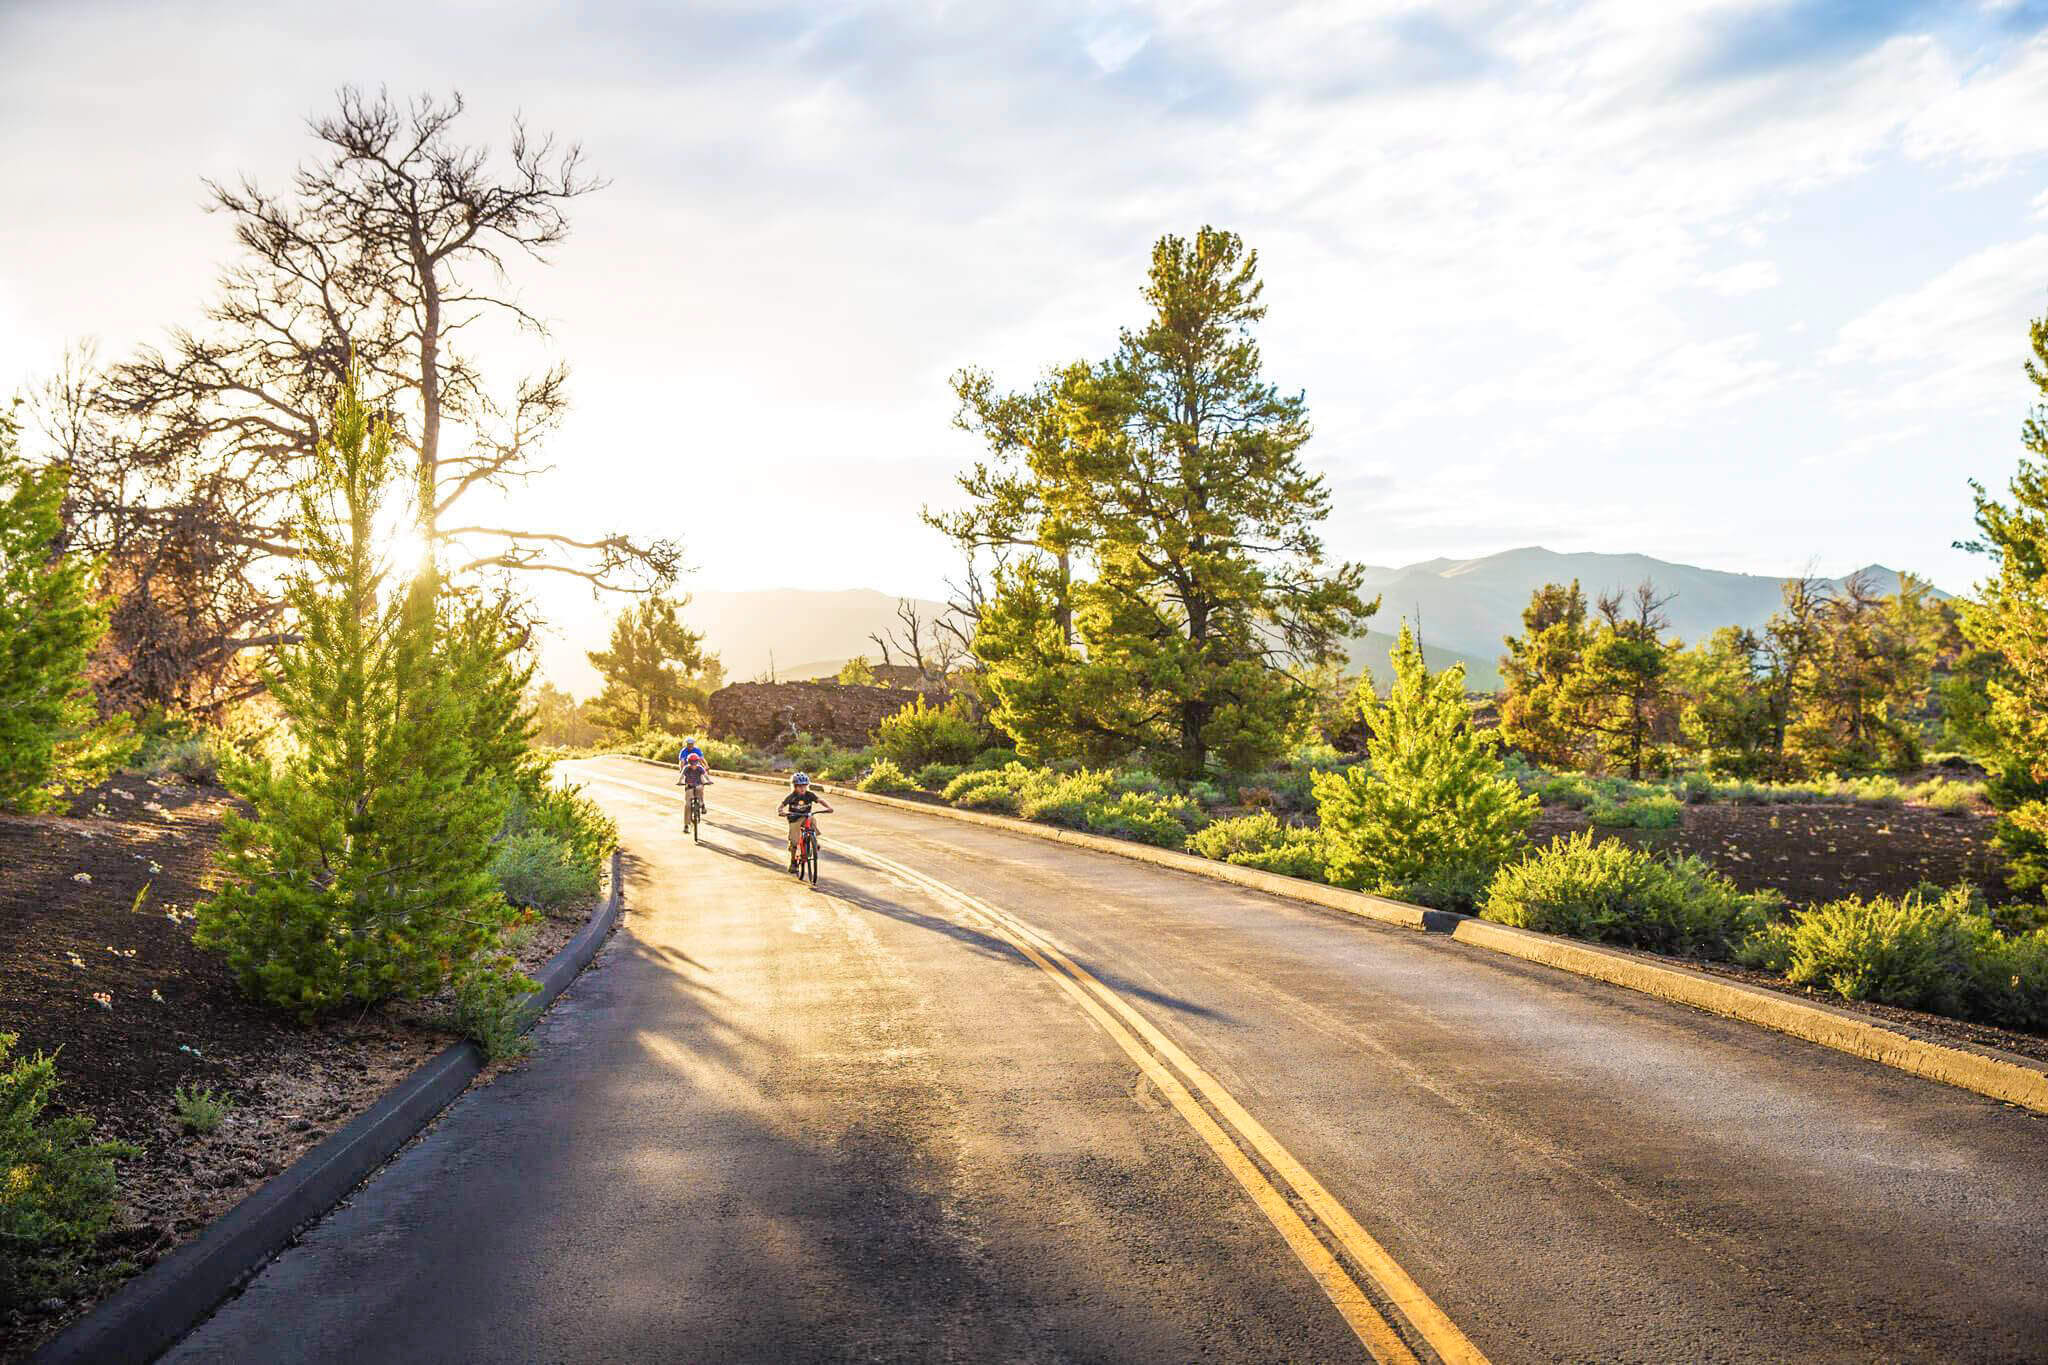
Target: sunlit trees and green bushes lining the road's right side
(1607,725)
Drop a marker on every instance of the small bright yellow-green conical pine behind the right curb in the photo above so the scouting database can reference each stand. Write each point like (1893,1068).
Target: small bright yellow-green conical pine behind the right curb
(1433,811)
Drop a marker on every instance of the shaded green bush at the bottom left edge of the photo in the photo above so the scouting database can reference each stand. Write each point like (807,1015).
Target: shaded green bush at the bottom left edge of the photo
(56,1184)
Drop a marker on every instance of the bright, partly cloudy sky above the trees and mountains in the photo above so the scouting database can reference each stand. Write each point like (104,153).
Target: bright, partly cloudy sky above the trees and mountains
(1738,283)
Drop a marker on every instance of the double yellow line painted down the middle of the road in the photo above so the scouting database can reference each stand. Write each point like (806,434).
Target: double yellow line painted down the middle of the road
(1107,1008)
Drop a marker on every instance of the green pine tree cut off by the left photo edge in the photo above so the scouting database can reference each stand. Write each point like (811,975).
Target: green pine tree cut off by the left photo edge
(48,627)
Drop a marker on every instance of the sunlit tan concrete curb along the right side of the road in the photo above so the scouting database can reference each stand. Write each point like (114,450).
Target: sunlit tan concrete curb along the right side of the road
(1986,1071)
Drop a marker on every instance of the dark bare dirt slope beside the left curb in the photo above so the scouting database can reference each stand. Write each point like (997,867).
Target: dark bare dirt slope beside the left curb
(99,967)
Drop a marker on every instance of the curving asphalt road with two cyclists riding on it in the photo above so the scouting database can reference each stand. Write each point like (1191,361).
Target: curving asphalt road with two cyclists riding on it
(886,1120)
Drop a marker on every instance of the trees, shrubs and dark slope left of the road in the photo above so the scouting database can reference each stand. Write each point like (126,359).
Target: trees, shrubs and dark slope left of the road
(271,807)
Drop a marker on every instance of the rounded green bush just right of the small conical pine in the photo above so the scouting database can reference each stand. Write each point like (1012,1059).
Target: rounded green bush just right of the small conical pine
(1617,893)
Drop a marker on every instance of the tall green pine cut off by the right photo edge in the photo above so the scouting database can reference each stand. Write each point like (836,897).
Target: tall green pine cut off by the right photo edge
(2010,621)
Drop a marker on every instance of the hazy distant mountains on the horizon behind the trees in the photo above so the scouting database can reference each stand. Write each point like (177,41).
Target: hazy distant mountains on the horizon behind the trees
(1463,607)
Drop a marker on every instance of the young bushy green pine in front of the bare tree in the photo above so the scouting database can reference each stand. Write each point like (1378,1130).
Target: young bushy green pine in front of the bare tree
(366,869)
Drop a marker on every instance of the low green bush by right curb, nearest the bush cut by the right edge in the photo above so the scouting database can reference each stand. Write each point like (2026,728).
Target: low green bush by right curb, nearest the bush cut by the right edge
(1920,951)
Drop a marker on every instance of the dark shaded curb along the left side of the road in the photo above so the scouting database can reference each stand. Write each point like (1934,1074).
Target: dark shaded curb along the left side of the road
(151,1313)
